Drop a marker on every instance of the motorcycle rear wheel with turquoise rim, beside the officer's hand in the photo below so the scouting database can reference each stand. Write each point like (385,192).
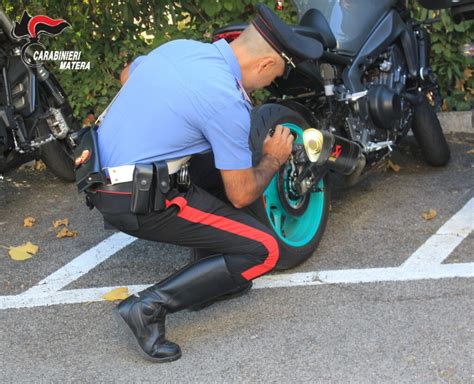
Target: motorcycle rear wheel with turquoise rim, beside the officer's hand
(298,224)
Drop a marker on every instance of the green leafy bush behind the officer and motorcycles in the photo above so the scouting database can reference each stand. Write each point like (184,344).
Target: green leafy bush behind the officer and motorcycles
(112,33)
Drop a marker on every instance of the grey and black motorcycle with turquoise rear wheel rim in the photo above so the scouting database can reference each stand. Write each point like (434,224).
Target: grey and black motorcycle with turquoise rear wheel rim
(372,84)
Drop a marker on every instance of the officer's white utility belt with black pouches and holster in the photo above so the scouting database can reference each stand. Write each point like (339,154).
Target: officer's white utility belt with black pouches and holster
(147,184)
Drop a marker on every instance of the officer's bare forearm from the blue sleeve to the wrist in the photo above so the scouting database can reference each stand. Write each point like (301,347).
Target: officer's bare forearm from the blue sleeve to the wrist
(244,186)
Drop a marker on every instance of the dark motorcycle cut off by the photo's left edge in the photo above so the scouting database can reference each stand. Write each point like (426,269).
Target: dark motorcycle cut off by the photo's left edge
(36,119)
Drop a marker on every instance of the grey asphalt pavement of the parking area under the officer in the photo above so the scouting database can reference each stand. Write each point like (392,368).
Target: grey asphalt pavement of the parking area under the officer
(392,328)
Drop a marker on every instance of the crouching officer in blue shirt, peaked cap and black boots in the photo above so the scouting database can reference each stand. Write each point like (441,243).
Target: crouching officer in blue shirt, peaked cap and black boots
(182,99)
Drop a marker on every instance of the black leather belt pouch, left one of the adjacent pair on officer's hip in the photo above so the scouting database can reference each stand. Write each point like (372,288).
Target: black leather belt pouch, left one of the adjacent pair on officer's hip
(142,189)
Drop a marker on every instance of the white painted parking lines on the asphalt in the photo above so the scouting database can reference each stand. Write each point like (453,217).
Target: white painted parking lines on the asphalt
(425,263)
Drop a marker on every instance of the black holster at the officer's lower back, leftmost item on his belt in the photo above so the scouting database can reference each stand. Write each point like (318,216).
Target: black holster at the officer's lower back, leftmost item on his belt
(88,169)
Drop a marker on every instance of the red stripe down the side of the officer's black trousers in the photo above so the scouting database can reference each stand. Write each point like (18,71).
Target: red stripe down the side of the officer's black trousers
(196,216)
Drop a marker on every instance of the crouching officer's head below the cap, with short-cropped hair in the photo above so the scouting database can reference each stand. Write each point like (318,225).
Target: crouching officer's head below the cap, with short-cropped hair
(259,62)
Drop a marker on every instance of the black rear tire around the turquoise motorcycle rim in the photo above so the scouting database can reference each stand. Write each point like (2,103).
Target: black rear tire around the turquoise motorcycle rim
(264,118)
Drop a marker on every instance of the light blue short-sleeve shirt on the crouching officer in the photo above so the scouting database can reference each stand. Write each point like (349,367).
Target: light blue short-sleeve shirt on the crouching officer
(181,99)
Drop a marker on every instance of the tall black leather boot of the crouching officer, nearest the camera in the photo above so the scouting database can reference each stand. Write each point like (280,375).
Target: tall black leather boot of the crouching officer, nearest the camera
(144,313)
